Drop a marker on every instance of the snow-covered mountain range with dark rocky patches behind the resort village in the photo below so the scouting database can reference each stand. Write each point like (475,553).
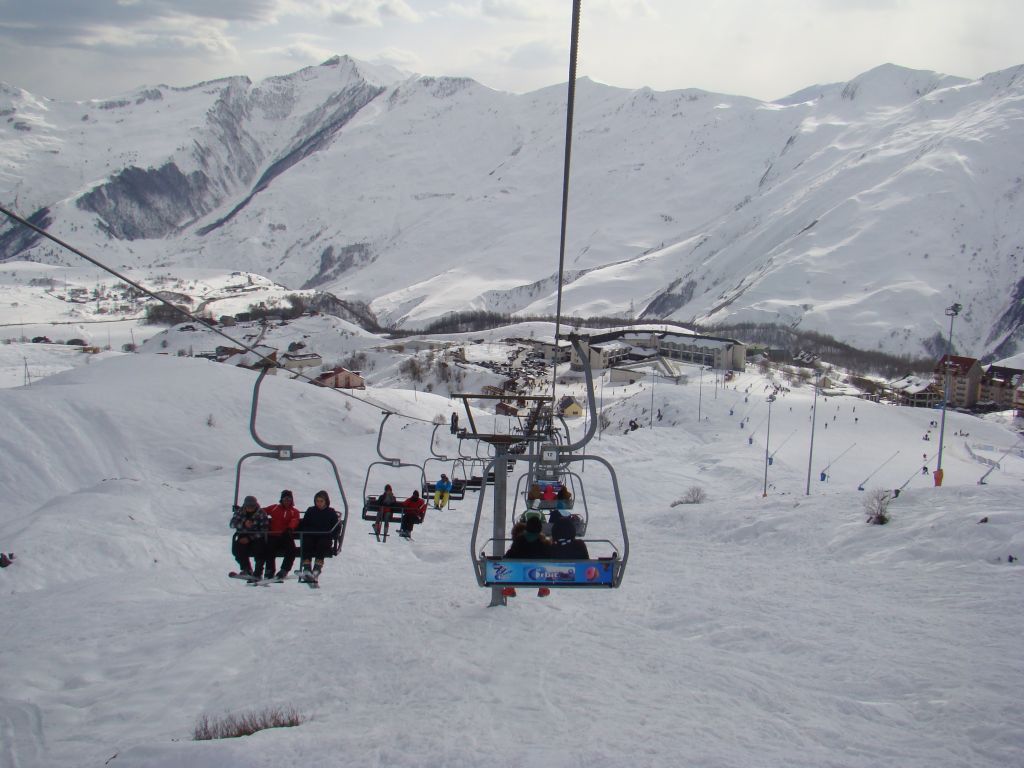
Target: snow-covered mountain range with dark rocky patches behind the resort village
(861,210)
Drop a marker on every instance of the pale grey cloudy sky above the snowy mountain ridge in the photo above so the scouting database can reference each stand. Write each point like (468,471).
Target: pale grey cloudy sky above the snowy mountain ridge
(760,49)
